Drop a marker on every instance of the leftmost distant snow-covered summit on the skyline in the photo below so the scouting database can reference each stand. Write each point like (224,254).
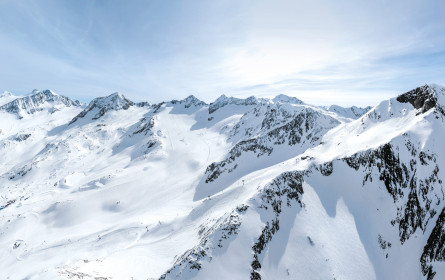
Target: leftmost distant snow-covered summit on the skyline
(37,101)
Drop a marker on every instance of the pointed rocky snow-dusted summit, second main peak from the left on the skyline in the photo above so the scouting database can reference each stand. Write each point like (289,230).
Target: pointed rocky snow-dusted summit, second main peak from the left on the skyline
(102,105)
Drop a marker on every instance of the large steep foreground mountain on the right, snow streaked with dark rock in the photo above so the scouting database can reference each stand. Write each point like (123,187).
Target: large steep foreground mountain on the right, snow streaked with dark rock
(394,192)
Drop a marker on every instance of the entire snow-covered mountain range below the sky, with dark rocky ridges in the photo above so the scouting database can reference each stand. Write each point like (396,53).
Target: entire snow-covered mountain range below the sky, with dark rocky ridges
(238,189)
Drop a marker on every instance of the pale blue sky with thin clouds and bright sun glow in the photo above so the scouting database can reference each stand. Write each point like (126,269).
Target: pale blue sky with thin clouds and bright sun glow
(321,51)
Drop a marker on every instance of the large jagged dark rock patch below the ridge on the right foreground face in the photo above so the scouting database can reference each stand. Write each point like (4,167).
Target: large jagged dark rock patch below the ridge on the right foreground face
(415,211)
